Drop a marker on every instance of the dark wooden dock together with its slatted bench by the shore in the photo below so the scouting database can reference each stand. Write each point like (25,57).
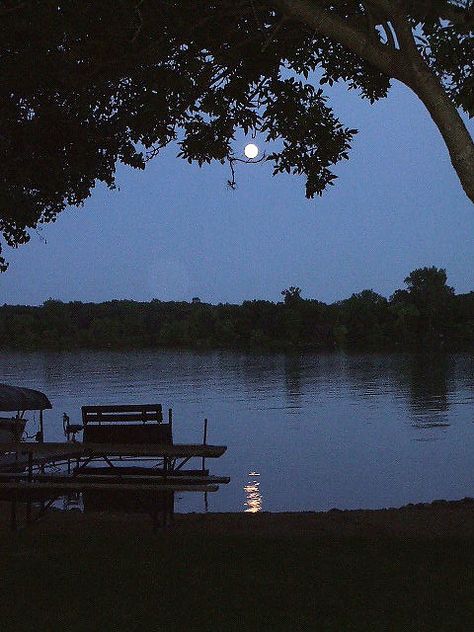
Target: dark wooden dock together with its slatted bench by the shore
(106,467)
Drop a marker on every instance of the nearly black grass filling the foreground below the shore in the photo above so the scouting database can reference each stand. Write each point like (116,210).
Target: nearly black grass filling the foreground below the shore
(123,577)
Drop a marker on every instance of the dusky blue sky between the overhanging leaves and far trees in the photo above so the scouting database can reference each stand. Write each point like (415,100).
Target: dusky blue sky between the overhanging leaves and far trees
(176,231)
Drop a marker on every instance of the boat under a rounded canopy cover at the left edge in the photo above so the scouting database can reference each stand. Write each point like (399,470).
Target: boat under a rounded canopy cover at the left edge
(17,399)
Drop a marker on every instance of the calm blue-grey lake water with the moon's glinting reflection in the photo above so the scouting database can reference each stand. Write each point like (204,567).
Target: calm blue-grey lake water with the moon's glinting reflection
(303,433)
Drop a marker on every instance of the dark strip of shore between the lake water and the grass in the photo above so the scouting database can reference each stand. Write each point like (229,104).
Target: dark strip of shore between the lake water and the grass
(438,519)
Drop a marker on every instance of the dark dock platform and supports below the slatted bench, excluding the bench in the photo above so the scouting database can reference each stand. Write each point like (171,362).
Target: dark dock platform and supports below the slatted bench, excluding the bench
(24,475)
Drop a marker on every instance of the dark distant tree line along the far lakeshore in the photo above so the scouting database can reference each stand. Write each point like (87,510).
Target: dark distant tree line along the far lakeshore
(427,313)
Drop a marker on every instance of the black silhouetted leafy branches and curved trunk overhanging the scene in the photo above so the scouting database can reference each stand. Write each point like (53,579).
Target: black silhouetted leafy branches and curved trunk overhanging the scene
(85,85)
